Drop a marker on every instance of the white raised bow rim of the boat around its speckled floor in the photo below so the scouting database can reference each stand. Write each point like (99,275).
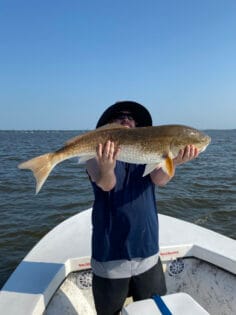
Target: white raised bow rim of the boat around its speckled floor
(66,249)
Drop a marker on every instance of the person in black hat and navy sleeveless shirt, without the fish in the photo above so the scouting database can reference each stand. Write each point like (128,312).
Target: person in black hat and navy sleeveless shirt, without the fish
(125,245)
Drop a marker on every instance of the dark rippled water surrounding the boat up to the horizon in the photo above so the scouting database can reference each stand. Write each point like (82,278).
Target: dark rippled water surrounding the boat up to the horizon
(203,191)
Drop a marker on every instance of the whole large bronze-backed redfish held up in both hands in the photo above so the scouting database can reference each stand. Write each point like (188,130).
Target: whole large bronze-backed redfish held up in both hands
(153,146)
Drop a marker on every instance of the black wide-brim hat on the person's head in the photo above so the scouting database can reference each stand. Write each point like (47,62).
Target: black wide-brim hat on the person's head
(140,114)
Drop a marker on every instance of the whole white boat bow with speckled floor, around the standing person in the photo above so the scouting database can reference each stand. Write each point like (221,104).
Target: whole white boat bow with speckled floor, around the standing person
(55,277)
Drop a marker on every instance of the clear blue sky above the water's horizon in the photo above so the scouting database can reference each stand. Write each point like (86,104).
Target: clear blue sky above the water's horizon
(63,62)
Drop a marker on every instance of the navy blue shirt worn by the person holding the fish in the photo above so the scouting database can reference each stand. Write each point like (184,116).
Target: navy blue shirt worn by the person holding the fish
(125,222)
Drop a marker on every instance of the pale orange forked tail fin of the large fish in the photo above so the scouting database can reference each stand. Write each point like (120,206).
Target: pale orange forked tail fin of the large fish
(41,167)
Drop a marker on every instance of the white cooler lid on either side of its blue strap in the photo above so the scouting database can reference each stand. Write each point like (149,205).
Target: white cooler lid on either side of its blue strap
(177,303)
